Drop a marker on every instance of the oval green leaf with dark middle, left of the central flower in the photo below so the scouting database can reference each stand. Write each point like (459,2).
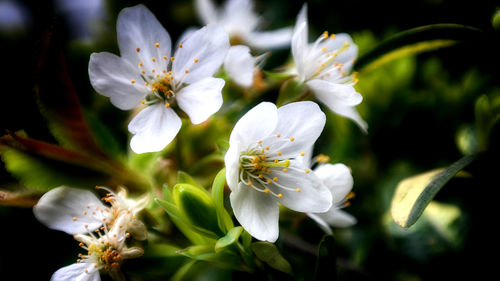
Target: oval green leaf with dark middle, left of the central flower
(197,207)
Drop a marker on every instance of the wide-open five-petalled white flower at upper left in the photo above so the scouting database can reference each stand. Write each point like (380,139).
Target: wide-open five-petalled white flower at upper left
(147,73)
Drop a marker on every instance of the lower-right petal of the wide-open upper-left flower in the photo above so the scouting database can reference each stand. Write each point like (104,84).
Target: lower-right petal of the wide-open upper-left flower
(201,99)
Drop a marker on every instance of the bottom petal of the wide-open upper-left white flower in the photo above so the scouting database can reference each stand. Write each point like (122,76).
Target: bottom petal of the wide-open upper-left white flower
(153,128)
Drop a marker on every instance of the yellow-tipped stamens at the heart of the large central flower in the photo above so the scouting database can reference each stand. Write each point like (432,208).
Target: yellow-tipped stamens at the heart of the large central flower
(263,164)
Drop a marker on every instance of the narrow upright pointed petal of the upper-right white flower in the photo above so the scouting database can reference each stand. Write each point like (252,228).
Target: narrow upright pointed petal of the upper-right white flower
(299,42)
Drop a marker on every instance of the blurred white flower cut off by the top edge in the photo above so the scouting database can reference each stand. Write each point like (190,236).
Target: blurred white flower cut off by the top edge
(239,20)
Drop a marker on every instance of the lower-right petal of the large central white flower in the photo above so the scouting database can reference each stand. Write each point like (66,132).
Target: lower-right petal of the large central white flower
(313,196)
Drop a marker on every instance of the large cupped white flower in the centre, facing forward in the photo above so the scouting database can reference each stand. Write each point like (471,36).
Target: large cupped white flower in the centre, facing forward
(264,166)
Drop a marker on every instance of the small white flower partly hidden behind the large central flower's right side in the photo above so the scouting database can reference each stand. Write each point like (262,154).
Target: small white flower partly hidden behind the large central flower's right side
(339,181)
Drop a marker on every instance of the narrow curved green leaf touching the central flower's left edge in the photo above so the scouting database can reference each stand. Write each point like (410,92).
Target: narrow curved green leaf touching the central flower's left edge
(223,219)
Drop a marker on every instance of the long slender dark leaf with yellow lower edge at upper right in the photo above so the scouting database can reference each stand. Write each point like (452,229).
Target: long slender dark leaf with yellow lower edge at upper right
(414,41)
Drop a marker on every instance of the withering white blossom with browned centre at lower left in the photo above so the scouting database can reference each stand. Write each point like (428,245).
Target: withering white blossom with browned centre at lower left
(101,228)
